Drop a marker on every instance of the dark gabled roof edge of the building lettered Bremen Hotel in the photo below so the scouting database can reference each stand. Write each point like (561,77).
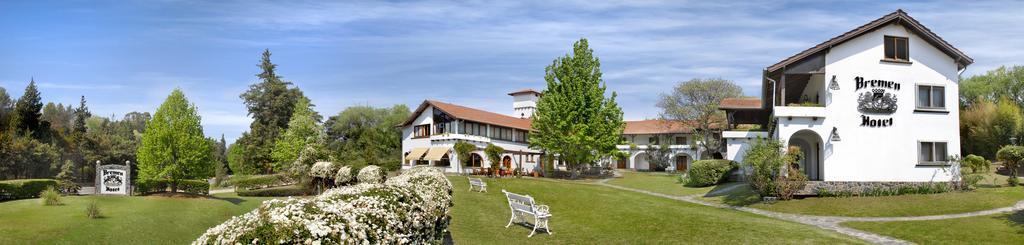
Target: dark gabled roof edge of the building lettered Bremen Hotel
(900,17)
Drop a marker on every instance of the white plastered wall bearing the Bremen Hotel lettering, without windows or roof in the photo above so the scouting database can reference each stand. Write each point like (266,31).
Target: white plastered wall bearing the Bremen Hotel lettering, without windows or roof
(883,154)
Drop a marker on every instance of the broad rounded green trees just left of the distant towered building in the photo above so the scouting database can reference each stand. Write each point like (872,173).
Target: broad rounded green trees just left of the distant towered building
(367,136)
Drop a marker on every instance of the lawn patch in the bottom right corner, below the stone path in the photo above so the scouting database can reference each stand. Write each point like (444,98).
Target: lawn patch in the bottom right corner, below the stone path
(998,229)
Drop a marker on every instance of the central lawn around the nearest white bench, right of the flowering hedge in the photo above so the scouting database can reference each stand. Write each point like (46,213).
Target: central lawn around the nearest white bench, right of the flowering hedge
(587,214)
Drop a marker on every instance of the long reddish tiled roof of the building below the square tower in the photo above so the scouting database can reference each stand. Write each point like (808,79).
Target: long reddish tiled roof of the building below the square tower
(472,114)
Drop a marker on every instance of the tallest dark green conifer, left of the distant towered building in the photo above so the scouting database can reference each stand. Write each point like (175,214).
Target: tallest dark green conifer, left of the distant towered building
(271,104)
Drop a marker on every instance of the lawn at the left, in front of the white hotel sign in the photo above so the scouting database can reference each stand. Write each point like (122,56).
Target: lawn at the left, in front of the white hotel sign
(126,220)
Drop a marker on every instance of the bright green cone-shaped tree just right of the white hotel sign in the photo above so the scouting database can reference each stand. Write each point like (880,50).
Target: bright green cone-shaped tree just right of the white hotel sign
(174,146)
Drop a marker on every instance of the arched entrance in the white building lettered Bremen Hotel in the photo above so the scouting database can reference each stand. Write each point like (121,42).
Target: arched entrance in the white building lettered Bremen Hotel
(810,145)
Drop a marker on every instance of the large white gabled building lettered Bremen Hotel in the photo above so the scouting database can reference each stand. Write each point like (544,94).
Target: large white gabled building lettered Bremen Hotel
(878,104)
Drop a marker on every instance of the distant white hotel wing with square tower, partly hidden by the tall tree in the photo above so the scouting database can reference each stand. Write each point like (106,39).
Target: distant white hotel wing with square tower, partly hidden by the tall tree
(430,136)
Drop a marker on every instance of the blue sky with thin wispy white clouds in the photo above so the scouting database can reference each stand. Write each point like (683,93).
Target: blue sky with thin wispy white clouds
(129,56)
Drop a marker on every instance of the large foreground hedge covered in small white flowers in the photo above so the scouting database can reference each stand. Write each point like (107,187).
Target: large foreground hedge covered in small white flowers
(412,209)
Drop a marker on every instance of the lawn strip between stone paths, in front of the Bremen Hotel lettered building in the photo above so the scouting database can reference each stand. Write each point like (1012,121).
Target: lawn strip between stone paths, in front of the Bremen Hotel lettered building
(908,206)
